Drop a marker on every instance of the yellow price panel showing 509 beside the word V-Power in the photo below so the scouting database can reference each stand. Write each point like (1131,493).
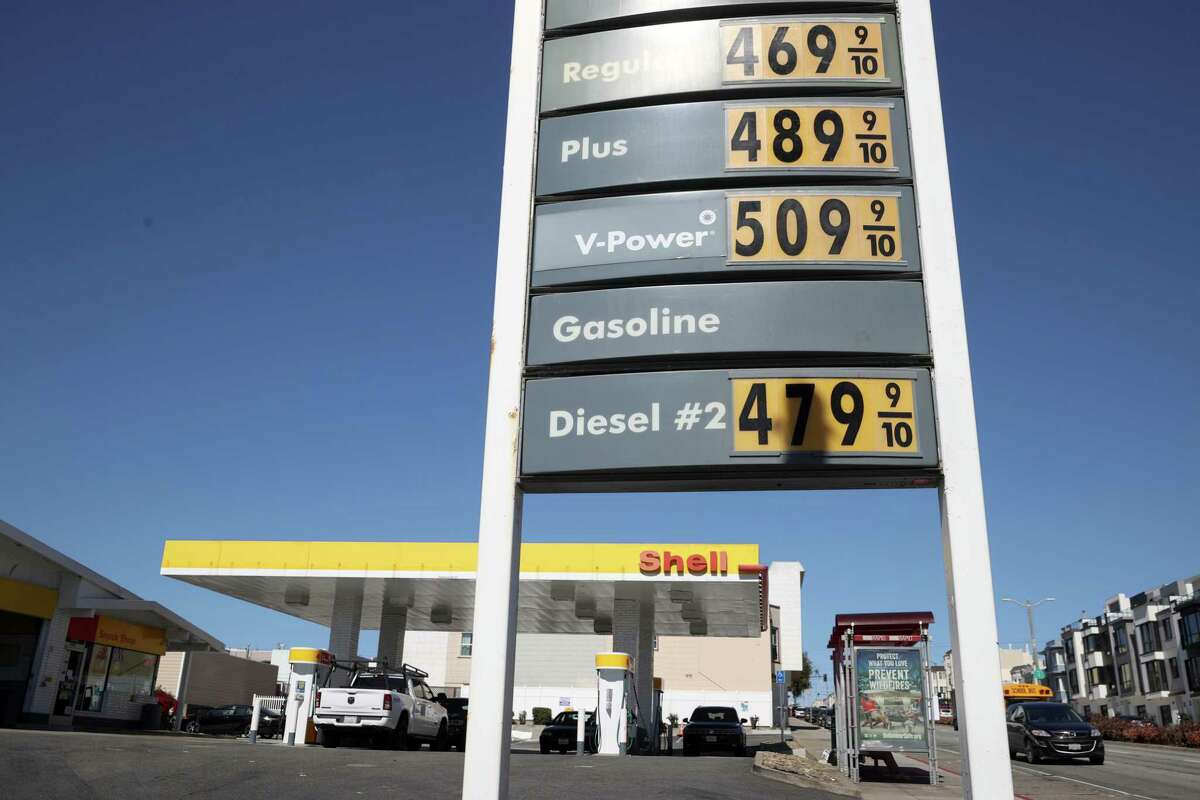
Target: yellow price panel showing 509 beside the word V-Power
(799,227)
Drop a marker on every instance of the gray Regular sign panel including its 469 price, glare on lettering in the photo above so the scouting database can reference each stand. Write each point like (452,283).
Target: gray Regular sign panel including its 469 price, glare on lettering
(695,57)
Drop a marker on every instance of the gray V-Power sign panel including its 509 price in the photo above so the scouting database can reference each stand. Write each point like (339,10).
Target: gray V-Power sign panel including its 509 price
(679,233)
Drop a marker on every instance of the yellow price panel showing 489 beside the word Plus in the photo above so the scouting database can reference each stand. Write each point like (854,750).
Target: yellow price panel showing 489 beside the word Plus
(809,135)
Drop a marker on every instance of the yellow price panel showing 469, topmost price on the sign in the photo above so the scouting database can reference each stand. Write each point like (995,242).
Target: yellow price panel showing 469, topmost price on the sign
(781,51)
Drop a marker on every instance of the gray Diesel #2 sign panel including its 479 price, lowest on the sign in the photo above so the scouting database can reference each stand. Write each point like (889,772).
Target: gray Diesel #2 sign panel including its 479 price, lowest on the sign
(622,426)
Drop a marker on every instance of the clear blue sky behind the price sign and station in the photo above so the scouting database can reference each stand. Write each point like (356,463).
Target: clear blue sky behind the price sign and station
(247,274)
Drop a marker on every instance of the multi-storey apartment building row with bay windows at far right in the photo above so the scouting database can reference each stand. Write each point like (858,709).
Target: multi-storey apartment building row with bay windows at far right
(1139,658)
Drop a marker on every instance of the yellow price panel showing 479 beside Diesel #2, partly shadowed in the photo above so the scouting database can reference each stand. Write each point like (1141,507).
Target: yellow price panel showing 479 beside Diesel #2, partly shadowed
(832,416)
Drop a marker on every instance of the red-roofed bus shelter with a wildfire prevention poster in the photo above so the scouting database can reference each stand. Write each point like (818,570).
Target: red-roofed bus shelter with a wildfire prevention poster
(883,689)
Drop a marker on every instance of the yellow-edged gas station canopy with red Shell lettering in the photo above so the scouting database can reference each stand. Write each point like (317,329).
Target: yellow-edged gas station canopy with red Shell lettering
(698,590)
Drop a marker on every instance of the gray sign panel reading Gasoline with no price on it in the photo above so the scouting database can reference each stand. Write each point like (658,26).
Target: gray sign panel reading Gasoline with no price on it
(812,317)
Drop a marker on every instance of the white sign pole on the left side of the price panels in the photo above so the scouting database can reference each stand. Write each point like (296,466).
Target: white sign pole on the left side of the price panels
(487,771)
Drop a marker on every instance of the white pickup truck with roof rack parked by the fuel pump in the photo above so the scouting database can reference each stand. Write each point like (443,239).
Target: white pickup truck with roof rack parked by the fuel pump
(393,708)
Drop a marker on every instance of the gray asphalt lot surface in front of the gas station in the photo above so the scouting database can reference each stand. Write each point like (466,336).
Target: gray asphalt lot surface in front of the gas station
(41,766)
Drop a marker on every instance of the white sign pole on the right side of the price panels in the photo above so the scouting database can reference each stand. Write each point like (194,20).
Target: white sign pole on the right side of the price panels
(985,737)
